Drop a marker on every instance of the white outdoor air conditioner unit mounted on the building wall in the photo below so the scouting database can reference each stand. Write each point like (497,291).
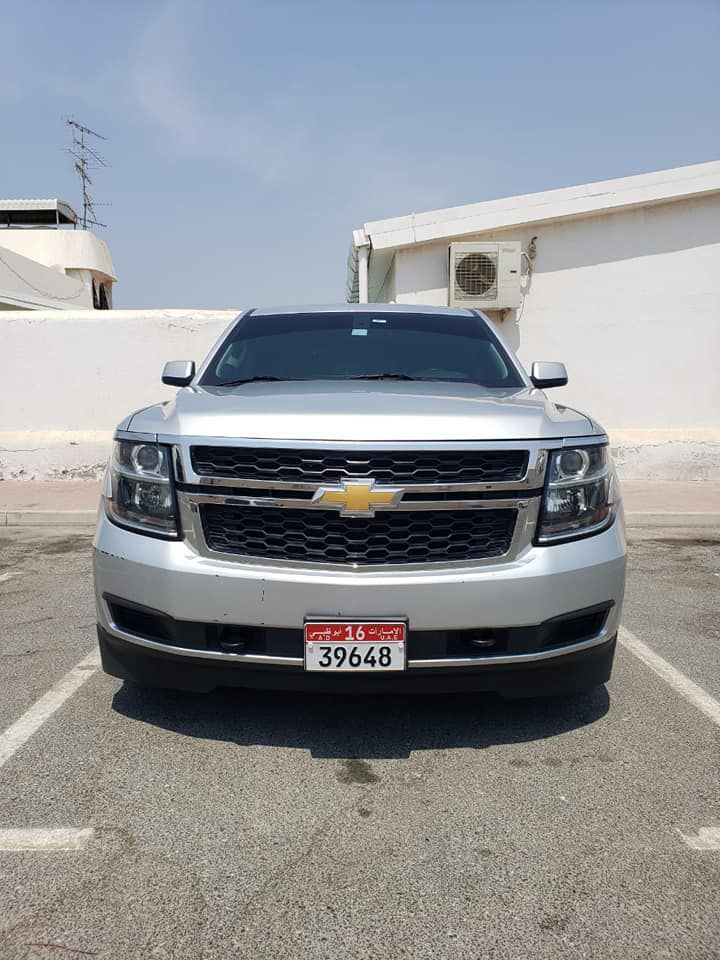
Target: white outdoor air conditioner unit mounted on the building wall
(485,275)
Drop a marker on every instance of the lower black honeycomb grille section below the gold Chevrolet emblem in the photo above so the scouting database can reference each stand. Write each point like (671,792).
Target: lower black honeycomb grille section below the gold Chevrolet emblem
(322,536)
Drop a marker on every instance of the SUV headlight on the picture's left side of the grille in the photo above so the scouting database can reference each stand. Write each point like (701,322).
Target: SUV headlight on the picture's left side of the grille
(142,493)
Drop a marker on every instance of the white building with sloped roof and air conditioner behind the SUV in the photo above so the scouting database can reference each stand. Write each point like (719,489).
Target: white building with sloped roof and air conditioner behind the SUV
(619,279)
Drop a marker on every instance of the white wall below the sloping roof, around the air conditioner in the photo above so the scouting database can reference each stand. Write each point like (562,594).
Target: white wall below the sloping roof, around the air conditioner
(631,302)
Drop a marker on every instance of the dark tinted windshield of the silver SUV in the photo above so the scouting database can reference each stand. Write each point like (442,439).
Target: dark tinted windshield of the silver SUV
(359,345)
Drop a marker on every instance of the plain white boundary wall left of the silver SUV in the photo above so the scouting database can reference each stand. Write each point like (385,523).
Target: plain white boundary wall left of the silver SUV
(68,377)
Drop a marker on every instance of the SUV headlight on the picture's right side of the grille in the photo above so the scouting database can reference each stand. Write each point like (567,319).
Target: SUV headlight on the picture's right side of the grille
(580,494)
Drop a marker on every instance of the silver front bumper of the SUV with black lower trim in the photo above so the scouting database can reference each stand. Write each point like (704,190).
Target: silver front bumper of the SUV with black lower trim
(540,584)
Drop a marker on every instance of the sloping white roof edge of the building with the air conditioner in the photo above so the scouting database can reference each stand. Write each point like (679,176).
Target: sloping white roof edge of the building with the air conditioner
(606,196)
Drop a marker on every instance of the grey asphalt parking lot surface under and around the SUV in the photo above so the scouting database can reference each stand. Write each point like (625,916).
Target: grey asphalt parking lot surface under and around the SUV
(258,825)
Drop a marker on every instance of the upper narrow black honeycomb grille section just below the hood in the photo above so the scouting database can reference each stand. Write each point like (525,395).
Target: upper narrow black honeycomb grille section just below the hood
(332,466)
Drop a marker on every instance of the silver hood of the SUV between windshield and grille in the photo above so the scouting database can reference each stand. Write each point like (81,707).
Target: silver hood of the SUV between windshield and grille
(362,411)
